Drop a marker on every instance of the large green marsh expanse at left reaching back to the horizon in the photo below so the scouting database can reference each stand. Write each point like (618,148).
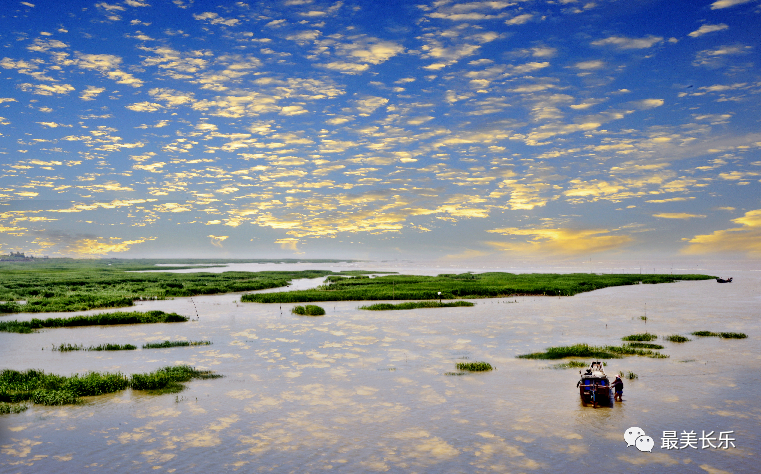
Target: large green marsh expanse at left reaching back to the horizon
(55,285)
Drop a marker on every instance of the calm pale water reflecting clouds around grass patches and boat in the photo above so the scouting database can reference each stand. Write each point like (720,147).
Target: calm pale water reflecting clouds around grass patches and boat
(366,391)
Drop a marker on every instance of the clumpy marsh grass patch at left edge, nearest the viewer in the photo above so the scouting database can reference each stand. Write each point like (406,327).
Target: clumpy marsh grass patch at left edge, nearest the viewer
(50,389)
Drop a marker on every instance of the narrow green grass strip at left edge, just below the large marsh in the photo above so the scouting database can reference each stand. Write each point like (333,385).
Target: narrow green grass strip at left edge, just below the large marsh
(104,319)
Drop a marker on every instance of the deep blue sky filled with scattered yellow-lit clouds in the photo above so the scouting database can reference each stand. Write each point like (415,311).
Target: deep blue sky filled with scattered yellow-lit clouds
(447,130)
